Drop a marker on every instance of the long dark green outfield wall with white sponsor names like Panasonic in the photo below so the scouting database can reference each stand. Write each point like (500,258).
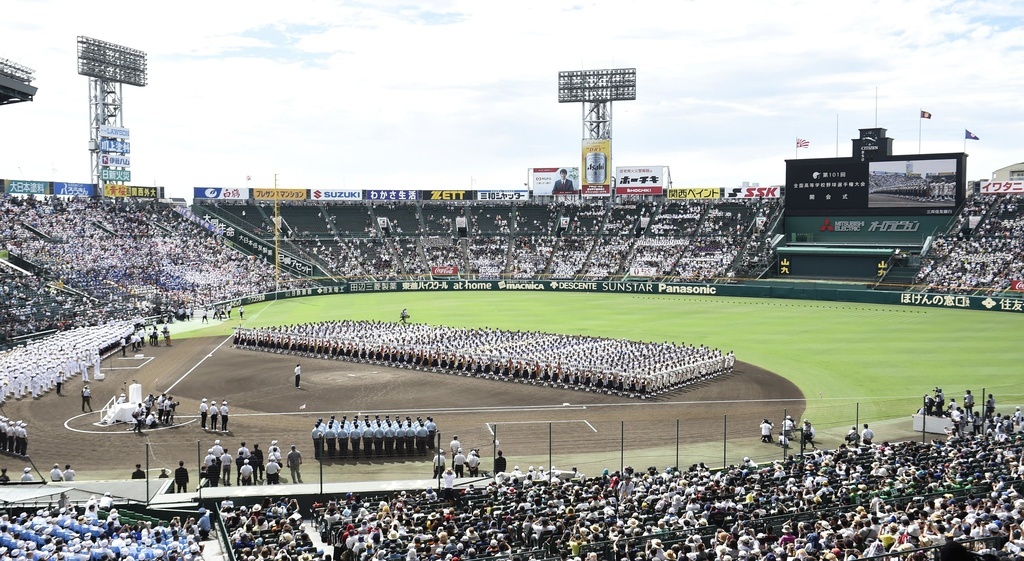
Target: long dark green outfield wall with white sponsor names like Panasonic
(790,292)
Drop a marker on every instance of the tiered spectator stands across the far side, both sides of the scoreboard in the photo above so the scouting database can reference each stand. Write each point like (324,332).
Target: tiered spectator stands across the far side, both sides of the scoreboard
(78,262)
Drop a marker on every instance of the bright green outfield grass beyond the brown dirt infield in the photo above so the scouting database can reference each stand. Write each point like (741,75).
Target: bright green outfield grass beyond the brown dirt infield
(843,357)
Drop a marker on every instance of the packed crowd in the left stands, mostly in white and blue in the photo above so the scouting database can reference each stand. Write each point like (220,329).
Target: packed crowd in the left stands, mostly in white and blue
(102,261)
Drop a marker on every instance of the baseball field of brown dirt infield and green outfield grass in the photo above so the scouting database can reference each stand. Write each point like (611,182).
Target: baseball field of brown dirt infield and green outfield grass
(835,364)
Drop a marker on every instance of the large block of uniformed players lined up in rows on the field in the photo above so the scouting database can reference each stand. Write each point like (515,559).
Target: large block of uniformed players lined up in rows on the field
(587,364)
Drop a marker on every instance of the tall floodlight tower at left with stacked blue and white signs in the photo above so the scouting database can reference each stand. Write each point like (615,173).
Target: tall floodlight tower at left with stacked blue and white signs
(109,66)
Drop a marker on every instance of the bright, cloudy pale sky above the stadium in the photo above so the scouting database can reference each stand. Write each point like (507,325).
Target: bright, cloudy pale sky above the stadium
(462,95)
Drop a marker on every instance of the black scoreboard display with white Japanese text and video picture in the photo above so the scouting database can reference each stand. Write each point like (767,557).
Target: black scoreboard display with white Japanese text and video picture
(919,185)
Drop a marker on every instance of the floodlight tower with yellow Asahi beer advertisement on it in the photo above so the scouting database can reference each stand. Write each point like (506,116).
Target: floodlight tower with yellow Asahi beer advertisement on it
(596,91)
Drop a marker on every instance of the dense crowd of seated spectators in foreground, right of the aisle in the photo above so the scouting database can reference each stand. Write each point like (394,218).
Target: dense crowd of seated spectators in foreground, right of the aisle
(858,501)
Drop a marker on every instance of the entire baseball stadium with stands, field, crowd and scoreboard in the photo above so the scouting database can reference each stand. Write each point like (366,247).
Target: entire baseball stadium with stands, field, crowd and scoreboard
(598,366)
